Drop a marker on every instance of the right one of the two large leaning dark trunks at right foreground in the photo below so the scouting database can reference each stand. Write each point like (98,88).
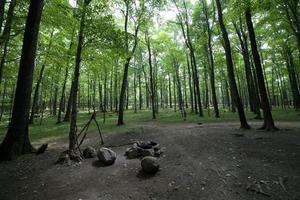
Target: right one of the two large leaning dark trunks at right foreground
(268,118)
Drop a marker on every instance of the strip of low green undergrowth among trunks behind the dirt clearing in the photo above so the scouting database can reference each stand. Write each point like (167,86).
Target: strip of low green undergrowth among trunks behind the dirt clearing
(134,121)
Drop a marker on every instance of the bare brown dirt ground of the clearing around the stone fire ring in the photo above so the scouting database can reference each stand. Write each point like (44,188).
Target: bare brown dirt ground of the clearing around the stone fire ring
(209,161)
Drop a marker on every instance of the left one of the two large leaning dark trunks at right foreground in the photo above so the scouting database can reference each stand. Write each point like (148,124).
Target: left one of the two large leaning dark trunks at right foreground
(233,87)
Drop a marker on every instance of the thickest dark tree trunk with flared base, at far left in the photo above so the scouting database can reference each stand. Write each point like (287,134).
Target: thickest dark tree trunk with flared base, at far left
(16,141)
